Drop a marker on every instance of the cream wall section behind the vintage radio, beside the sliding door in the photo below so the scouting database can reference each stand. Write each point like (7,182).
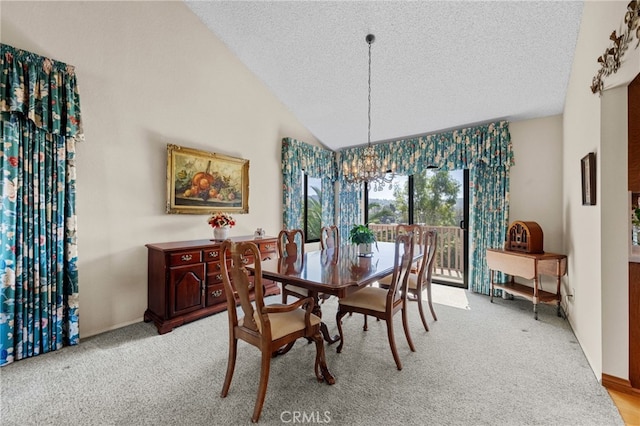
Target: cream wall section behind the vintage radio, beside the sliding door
(536,181)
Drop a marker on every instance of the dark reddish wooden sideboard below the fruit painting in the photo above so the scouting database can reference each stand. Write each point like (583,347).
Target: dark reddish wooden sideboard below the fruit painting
(184,280)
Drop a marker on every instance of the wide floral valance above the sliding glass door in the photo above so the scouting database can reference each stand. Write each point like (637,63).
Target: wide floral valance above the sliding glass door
(455,150)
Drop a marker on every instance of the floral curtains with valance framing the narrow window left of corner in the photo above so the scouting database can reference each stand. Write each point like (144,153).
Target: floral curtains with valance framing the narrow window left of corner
(316,162)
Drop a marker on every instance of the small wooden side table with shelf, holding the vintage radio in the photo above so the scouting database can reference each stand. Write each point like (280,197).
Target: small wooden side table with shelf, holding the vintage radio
(528,266)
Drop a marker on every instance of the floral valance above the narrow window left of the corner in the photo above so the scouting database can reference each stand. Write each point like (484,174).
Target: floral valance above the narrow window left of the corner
(314,160)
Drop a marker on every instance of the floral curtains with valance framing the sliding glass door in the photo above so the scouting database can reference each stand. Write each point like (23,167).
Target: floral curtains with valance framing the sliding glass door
(488,154)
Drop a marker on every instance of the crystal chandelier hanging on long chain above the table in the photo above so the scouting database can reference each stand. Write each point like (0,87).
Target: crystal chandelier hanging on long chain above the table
(369,168)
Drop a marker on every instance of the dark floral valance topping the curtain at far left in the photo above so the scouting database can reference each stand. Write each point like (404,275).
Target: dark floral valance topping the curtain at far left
(43,90)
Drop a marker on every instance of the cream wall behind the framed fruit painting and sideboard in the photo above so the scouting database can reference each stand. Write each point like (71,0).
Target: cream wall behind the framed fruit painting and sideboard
(149,73)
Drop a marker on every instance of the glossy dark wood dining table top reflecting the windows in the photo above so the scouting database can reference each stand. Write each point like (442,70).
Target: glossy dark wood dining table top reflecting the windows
(333,272)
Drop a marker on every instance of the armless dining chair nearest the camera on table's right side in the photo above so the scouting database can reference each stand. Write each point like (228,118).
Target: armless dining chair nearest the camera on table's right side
(383,303)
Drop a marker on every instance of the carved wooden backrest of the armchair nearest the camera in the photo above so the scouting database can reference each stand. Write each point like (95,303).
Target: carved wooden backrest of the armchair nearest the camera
(233,270)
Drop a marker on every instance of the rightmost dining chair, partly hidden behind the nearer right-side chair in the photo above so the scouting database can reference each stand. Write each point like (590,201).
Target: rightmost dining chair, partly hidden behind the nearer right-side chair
(421,275)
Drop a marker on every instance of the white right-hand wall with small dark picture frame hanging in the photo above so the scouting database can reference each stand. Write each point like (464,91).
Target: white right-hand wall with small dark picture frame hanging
(588,230)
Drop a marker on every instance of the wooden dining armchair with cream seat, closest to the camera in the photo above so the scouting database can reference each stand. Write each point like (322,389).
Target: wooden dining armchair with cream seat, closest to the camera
(267,327)
